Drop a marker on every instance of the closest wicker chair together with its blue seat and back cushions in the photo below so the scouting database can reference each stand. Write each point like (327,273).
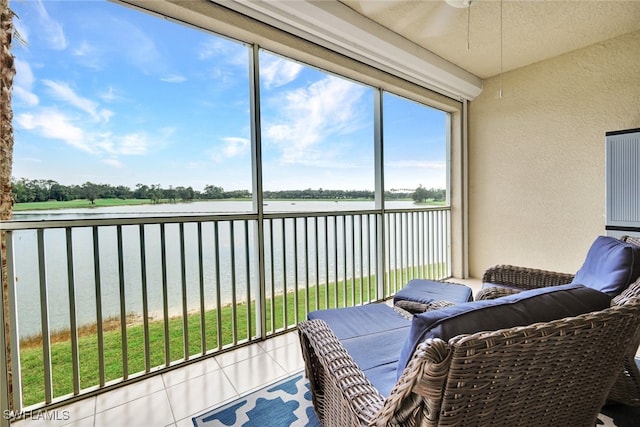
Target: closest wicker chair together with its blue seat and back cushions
(518,360)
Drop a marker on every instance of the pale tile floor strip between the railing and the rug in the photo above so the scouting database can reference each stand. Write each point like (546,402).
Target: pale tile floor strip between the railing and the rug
(173,398)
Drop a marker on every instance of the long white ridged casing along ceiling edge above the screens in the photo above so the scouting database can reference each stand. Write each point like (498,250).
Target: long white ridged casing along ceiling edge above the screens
(337,27)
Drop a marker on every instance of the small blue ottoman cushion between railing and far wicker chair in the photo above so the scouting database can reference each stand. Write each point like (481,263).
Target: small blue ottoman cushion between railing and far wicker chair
(426,291)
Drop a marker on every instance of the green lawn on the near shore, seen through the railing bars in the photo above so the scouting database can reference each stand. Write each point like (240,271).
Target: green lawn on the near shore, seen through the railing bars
(31,356)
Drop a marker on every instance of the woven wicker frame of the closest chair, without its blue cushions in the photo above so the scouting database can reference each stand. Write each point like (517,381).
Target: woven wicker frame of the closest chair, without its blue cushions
(557,373)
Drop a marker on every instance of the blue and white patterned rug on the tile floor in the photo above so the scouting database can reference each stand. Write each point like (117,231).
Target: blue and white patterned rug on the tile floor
(284,403)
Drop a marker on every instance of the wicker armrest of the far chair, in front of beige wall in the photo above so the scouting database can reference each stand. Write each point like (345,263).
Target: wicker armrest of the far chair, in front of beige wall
(524,278)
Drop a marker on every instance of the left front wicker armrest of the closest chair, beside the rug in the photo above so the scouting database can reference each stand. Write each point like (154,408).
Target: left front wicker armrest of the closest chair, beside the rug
(340,390)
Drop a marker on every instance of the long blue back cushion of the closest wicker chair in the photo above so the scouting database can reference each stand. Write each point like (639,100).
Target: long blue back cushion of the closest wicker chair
(524,308)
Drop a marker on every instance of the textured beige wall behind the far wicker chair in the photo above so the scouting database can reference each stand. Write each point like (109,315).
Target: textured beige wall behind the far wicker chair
(536,156)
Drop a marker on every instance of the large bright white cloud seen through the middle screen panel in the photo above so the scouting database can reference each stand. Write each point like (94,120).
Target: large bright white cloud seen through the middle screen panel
(309,116)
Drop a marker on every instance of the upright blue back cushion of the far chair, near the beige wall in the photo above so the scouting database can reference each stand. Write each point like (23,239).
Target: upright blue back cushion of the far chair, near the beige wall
(610,266)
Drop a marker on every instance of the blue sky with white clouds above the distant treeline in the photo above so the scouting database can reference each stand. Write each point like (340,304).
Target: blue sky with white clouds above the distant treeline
(107,94)
